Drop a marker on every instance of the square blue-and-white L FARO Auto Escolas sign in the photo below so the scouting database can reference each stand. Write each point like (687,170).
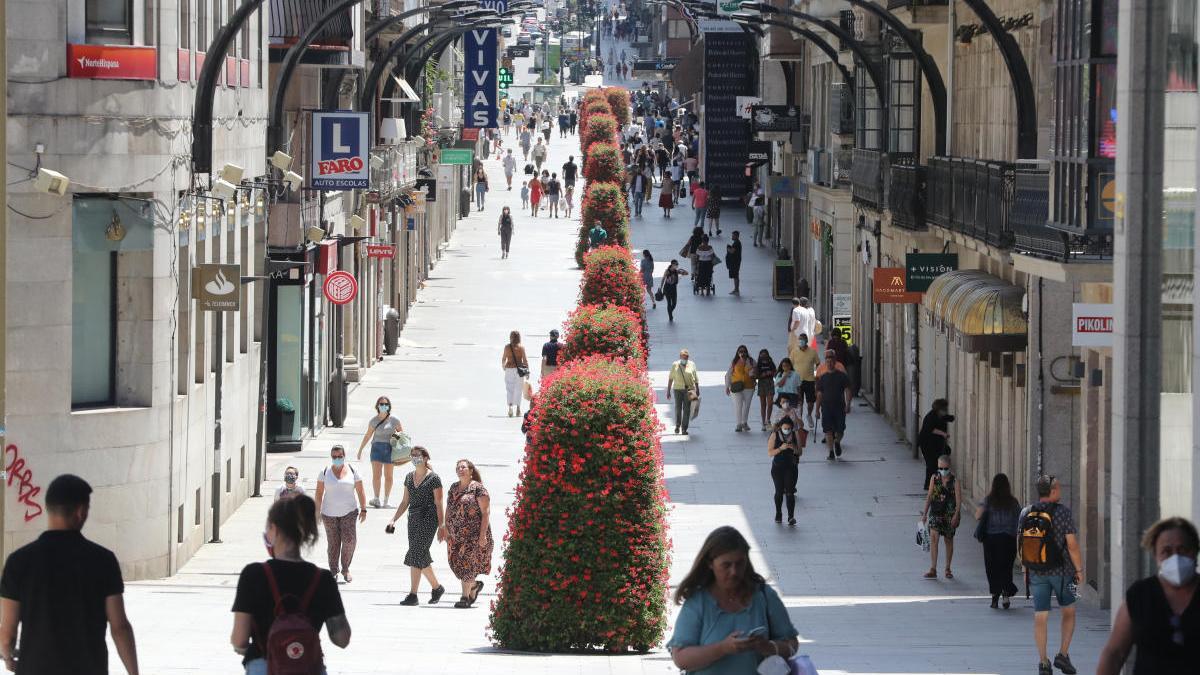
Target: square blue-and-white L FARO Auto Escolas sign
(341,141)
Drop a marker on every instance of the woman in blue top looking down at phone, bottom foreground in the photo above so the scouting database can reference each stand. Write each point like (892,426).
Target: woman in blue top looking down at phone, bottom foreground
(731,619)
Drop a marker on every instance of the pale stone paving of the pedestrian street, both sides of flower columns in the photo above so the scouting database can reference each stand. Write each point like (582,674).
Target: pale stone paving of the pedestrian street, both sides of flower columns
(849,572)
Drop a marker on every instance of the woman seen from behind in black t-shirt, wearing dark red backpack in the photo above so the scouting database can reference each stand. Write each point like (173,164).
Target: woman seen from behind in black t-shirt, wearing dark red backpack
(291,525)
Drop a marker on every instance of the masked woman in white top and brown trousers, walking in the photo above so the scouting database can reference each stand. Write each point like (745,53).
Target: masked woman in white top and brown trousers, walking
(339,489)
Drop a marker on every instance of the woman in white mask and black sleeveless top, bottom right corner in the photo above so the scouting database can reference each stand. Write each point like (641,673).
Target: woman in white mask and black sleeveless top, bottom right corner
(1161,616)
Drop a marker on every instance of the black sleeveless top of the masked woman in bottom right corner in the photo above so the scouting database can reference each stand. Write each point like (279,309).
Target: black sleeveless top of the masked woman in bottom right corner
(1166,644)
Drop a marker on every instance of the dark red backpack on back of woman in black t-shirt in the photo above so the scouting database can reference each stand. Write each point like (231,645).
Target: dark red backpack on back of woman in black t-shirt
(293,646)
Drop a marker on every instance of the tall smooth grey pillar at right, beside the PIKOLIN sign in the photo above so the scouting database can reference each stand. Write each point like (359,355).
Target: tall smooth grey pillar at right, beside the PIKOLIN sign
(1137,276)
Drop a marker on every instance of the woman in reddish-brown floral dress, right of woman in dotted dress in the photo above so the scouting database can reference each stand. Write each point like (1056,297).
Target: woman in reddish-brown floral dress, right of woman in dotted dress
(470,533)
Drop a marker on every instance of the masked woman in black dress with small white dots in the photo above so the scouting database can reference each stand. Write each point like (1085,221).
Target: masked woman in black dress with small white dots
(423,500)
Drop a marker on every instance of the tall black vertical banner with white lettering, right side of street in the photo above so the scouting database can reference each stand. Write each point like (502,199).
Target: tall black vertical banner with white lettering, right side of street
(725,135)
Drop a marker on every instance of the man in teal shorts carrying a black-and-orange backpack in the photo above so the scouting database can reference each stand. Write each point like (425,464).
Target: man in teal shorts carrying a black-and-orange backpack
(1060,580)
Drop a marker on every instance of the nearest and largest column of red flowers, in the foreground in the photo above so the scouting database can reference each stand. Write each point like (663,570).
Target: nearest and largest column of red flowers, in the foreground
(587,554)
